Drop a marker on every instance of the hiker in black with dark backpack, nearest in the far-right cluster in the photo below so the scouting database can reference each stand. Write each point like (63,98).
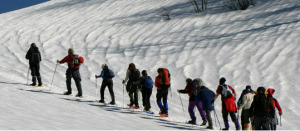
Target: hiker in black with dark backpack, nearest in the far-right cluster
(262,110)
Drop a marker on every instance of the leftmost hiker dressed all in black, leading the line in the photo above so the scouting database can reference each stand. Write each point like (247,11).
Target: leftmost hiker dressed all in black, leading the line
(34,57)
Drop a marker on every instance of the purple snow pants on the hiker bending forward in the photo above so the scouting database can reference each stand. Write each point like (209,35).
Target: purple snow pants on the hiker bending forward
(198,104)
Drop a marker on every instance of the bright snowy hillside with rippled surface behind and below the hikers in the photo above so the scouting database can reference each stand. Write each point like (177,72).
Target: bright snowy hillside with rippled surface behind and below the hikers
(257,47)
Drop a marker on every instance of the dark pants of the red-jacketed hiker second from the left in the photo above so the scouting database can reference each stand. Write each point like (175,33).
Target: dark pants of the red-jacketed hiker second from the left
(75,74)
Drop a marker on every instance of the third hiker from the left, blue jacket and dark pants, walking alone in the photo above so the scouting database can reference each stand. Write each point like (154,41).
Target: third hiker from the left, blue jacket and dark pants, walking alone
(107,75)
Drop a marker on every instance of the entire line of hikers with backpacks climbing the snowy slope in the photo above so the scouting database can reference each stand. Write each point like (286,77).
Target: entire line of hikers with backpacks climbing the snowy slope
(258,108)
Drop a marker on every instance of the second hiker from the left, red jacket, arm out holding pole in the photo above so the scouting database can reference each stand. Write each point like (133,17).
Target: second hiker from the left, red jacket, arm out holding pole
(74,61)
